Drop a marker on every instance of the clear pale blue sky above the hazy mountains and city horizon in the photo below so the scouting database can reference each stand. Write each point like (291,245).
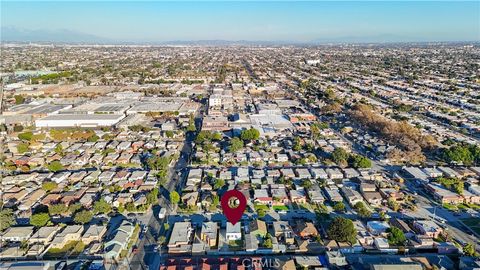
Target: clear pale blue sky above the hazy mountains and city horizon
(254,21)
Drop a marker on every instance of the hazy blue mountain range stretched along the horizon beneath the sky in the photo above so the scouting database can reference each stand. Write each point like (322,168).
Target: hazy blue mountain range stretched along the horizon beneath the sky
(13,34)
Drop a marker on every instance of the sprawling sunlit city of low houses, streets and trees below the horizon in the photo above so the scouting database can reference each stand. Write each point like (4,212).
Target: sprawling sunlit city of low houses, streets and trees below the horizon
(228,154)
